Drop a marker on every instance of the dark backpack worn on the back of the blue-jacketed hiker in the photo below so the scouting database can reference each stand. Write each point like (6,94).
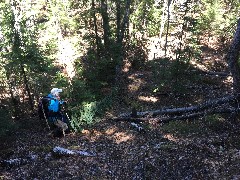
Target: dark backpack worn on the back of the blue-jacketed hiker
(43,111)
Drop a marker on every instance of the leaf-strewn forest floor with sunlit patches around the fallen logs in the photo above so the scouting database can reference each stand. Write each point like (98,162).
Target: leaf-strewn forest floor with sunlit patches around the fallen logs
(203,148)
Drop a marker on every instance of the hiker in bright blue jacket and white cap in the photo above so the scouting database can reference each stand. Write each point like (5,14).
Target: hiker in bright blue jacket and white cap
(55,115)
